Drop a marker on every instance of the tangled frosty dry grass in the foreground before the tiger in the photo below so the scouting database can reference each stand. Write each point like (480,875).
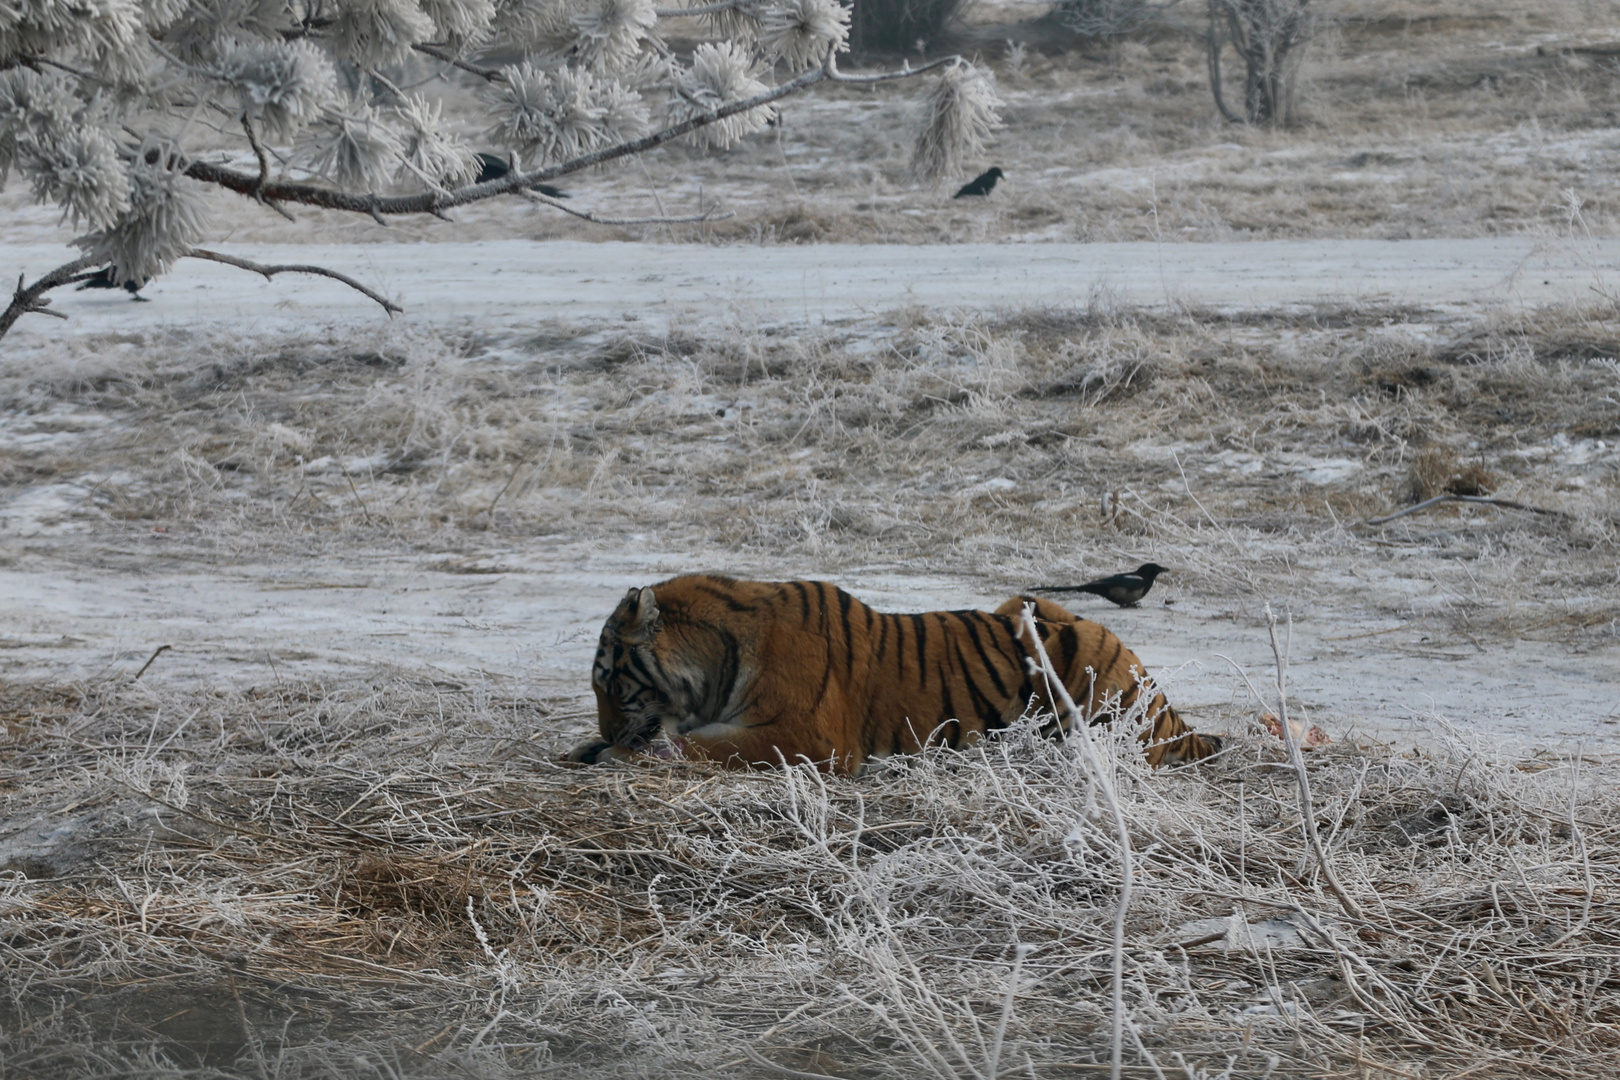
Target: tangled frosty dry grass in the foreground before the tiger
(396,882)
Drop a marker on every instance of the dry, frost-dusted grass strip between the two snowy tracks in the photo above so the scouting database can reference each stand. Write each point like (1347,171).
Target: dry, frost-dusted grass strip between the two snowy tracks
(1041,443)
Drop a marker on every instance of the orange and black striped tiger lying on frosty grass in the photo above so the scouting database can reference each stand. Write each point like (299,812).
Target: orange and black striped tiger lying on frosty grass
(759,673)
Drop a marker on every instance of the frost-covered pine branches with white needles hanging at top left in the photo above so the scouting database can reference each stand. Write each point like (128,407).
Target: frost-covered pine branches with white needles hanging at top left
(117,111)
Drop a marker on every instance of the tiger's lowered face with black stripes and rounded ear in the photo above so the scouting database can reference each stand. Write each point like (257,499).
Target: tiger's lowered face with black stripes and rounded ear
(628,674)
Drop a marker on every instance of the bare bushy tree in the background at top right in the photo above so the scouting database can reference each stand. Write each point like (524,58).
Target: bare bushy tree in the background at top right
(1268,36)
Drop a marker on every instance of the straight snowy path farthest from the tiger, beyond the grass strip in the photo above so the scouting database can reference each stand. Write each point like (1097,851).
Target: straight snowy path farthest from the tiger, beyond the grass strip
(503,283)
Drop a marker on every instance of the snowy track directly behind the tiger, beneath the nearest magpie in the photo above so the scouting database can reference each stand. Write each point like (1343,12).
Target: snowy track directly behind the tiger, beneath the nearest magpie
(526,619)
